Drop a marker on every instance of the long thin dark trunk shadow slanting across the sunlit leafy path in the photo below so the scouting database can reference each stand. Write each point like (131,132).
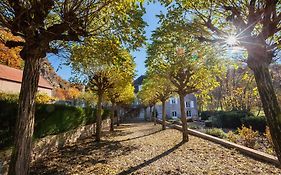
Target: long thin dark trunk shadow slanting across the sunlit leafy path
(146,163)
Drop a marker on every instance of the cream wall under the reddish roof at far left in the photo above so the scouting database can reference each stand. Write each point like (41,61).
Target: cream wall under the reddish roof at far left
(14,87)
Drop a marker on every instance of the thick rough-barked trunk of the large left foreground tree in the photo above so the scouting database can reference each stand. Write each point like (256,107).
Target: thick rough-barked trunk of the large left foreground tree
(21,155)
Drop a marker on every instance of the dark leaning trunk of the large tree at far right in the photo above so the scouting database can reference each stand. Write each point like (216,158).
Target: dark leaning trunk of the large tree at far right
(270,105)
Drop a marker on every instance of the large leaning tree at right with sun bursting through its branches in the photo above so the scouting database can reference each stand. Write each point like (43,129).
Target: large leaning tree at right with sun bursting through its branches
(253,25)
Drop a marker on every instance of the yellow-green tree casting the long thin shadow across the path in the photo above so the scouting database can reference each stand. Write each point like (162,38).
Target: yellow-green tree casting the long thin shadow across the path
(187,64)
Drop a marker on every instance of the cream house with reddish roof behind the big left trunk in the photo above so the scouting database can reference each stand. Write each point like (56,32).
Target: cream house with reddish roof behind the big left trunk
(10,81)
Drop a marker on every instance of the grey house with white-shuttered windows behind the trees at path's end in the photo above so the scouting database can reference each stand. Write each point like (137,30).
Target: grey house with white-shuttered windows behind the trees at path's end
(173,104)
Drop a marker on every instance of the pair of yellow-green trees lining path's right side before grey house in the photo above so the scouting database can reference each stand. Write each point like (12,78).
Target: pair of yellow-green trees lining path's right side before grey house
(177,64)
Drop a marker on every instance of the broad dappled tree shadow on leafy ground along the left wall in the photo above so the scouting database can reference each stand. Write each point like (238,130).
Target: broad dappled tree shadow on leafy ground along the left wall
(74,158)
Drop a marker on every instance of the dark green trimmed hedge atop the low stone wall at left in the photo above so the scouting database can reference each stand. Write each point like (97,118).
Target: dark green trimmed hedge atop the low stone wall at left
(49,119)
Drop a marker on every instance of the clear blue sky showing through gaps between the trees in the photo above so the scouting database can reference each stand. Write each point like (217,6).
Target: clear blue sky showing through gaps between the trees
(150,17)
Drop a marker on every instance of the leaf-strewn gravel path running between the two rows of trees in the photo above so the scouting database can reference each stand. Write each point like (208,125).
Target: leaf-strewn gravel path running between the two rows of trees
(142,148)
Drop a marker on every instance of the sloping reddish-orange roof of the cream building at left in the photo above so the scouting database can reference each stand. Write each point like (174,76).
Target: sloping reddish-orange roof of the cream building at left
(15,75)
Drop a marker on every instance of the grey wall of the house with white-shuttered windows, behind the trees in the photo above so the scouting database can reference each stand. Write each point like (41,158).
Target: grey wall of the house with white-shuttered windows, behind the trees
(175,107)
